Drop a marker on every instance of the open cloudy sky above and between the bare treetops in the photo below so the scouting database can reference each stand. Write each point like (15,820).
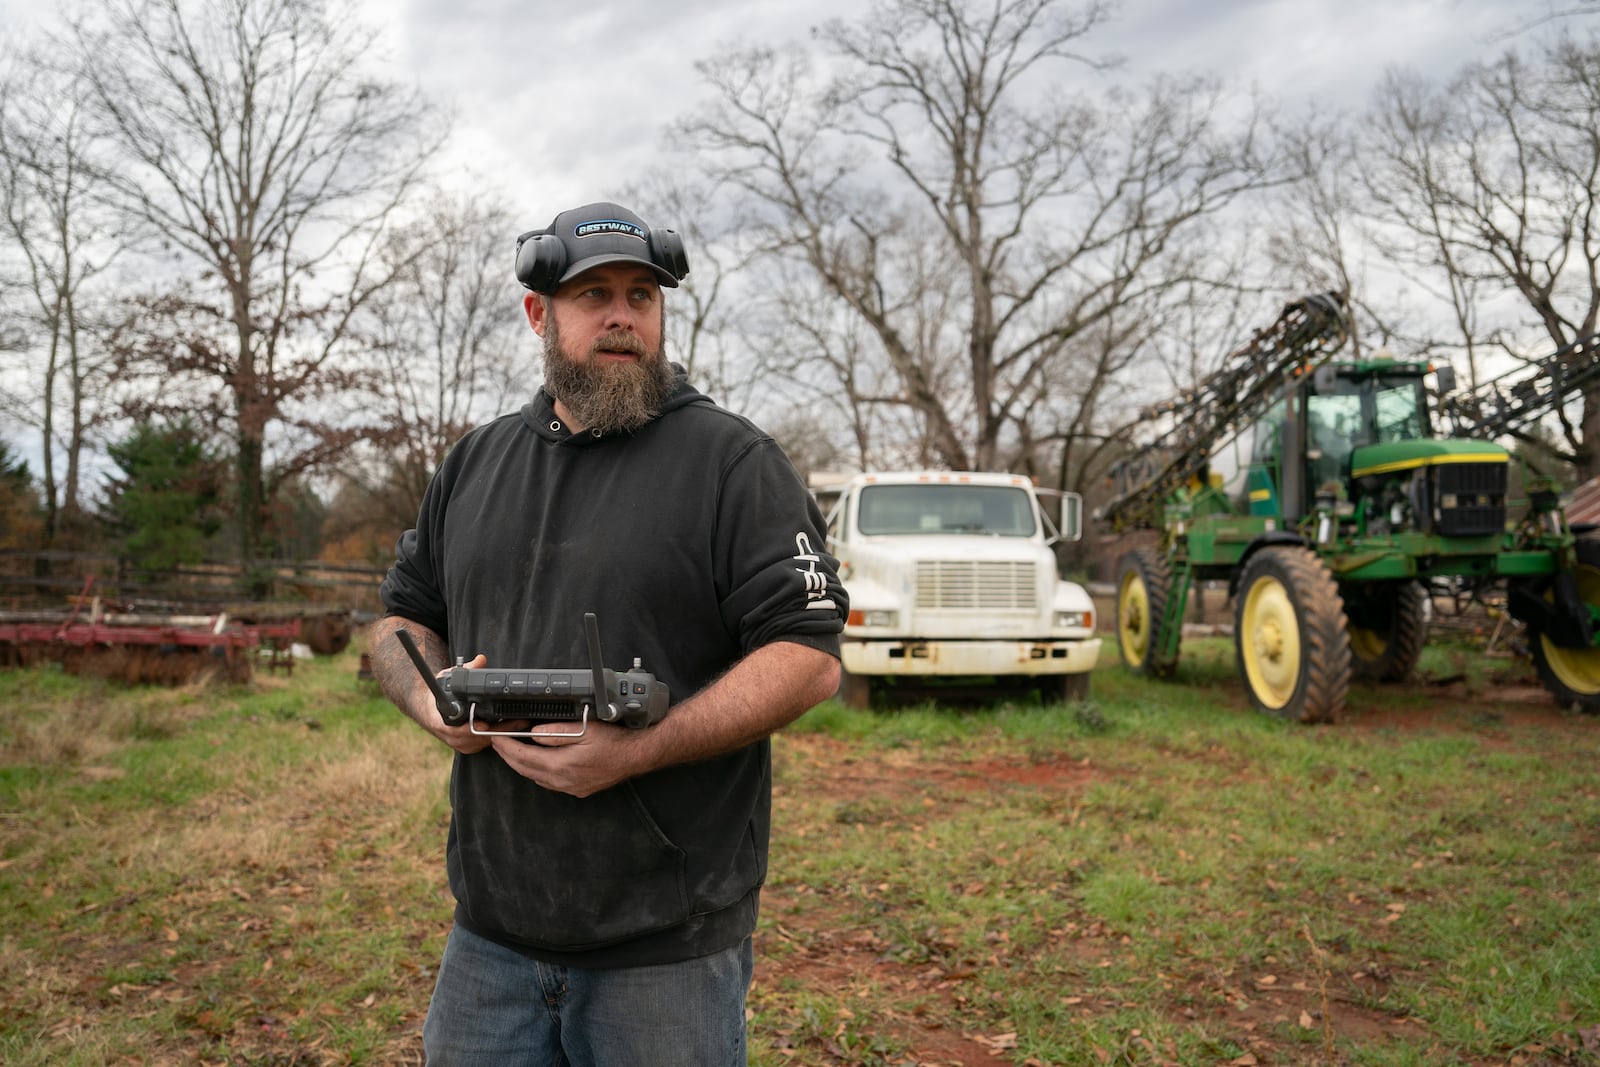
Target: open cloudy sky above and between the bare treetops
(561,102)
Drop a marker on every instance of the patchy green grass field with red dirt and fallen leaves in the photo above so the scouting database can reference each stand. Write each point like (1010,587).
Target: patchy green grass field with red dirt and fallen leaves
(255,876)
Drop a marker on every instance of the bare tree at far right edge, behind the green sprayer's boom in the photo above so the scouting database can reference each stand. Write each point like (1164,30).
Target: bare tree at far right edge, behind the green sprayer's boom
(1497,178)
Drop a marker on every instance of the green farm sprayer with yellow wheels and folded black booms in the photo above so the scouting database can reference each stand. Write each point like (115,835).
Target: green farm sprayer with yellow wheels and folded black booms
(1324,497)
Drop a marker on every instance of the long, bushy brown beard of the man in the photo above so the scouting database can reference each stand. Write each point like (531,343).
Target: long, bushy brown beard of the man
(607,396)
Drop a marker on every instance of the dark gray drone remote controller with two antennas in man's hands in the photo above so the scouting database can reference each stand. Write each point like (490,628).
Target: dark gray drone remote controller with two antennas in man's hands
(545,695)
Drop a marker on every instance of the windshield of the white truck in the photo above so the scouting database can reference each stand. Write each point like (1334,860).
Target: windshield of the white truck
(940,508)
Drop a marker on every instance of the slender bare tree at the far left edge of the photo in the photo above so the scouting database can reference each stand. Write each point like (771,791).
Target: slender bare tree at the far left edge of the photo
(62,241)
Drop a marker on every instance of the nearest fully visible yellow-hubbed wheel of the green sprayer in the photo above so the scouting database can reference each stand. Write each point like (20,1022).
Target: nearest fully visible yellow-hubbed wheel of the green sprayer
(1289,626)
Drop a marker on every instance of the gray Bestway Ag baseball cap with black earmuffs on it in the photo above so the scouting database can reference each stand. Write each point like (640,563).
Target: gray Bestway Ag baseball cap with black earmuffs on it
(594,236)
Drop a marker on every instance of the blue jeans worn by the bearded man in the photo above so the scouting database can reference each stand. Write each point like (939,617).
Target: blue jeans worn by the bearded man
(498,1009)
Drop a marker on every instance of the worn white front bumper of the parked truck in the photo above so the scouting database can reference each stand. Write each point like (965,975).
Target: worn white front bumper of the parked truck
(969,658)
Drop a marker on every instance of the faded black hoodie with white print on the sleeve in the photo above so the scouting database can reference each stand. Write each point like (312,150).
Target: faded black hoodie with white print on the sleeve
(695,543)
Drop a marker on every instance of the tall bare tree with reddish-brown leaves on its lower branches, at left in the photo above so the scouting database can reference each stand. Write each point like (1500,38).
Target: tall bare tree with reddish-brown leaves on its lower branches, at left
(268,162)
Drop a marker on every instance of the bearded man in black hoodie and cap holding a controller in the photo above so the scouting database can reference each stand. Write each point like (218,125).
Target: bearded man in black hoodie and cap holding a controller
(607,885)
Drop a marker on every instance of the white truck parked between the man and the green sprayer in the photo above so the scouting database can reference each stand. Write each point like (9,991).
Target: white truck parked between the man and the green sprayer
(951,578)
